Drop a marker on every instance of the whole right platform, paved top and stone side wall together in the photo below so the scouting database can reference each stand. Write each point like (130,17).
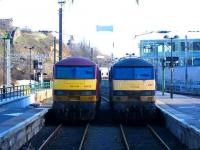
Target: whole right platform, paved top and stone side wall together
(182,117)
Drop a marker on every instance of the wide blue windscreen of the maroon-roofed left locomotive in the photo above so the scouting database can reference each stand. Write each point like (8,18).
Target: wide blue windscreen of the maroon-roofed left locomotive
(78,72)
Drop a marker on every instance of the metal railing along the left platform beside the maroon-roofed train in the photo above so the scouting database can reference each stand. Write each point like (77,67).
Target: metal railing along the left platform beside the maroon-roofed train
(22,90)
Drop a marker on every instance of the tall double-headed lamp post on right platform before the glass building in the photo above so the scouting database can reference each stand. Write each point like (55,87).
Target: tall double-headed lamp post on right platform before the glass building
(171,63)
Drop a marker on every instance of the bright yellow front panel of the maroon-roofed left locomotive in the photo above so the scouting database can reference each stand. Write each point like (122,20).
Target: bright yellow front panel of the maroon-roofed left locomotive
(60,84)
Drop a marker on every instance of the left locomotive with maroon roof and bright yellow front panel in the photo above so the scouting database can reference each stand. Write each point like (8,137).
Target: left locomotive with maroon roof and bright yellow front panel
(76,89)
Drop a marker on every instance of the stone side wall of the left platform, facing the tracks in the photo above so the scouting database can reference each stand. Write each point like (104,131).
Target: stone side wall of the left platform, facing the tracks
(17,136)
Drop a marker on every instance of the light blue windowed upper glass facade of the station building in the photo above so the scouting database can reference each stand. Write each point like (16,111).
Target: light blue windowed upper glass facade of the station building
(155,50)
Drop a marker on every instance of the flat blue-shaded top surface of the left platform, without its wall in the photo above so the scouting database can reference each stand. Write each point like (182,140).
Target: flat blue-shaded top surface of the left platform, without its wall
(12,119)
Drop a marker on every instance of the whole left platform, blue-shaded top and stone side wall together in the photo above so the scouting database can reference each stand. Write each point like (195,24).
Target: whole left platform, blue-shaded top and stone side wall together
(18,125)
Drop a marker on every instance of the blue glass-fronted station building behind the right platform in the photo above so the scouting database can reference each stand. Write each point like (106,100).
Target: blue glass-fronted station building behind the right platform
(187,70)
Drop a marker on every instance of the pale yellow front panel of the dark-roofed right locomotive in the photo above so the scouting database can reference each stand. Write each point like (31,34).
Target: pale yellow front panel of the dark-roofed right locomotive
(134,85)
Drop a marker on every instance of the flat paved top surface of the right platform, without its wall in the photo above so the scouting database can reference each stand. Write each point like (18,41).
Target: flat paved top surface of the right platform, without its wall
(185,108)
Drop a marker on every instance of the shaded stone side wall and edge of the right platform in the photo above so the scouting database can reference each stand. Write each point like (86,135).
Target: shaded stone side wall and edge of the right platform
(181,126)
